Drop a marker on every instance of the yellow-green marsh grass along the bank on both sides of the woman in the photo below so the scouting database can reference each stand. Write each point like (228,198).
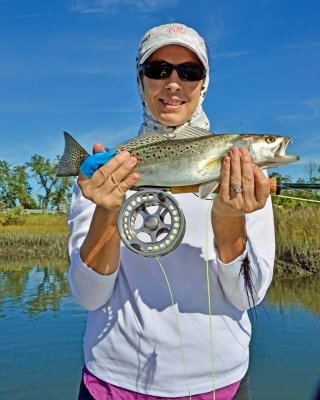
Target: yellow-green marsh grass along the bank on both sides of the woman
(43,237)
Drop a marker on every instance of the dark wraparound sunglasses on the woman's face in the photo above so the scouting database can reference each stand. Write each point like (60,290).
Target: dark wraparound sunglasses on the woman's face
(188,71)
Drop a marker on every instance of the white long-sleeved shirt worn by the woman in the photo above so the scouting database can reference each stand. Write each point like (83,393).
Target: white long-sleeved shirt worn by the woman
(134,333)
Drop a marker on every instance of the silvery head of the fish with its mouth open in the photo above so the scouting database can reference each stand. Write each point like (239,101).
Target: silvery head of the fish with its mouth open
(269,150)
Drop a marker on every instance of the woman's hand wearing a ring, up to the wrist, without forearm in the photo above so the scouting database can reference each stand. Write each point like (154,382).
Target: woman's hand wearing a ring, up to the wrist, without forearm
(244,188)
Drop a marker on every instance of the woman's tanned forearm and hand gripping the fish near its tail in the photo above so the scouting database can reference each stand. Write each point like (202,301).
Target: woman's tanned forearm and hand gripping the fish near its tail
(106,188)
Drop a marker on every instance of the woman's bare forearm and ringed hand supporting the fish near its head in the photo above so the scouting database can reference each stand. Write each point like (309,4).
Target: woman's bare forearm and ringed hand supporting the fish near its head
(244,188)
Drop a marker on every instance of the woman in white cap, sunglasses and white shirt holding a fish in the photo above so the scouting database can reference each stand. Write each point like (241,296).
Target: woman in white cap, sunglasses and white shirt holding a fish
(138,343)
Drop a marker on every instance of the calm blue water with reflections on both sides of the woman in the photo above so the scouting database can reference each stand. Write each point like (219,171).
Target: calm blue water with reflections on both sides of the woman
(41,331)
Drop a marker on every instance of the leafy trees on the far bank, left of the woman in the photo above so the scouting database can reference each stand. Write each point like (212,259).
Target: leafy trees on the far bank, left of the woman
(34,185)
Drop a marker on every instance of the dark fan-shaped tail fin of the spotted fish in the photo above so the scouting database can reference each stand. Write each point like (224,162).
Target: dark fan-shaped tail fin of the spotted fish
(73,155)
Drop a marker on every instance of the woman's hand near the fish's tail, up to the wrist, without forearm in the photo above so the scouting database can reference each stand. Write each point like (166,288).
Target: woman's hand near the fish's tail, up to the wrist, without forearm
(108,185)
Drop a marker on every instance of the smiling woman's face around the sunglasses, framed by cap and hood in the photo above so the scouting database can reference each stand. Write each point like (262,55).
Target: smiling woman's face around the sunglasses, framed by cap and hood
(172,101)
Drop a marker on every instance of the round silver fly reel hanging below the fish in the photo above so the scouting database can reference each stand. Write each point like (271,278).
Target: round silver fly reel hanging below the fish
(151,223)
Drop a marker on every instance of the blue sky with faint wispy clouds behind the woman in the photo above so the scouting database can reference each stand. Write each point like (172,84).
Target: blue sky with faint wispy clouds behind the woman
(69,65)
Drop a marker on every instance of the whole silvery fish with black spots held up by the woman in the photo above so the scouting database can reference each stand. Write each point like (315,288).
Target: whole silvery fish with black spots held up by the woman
(190,156)
